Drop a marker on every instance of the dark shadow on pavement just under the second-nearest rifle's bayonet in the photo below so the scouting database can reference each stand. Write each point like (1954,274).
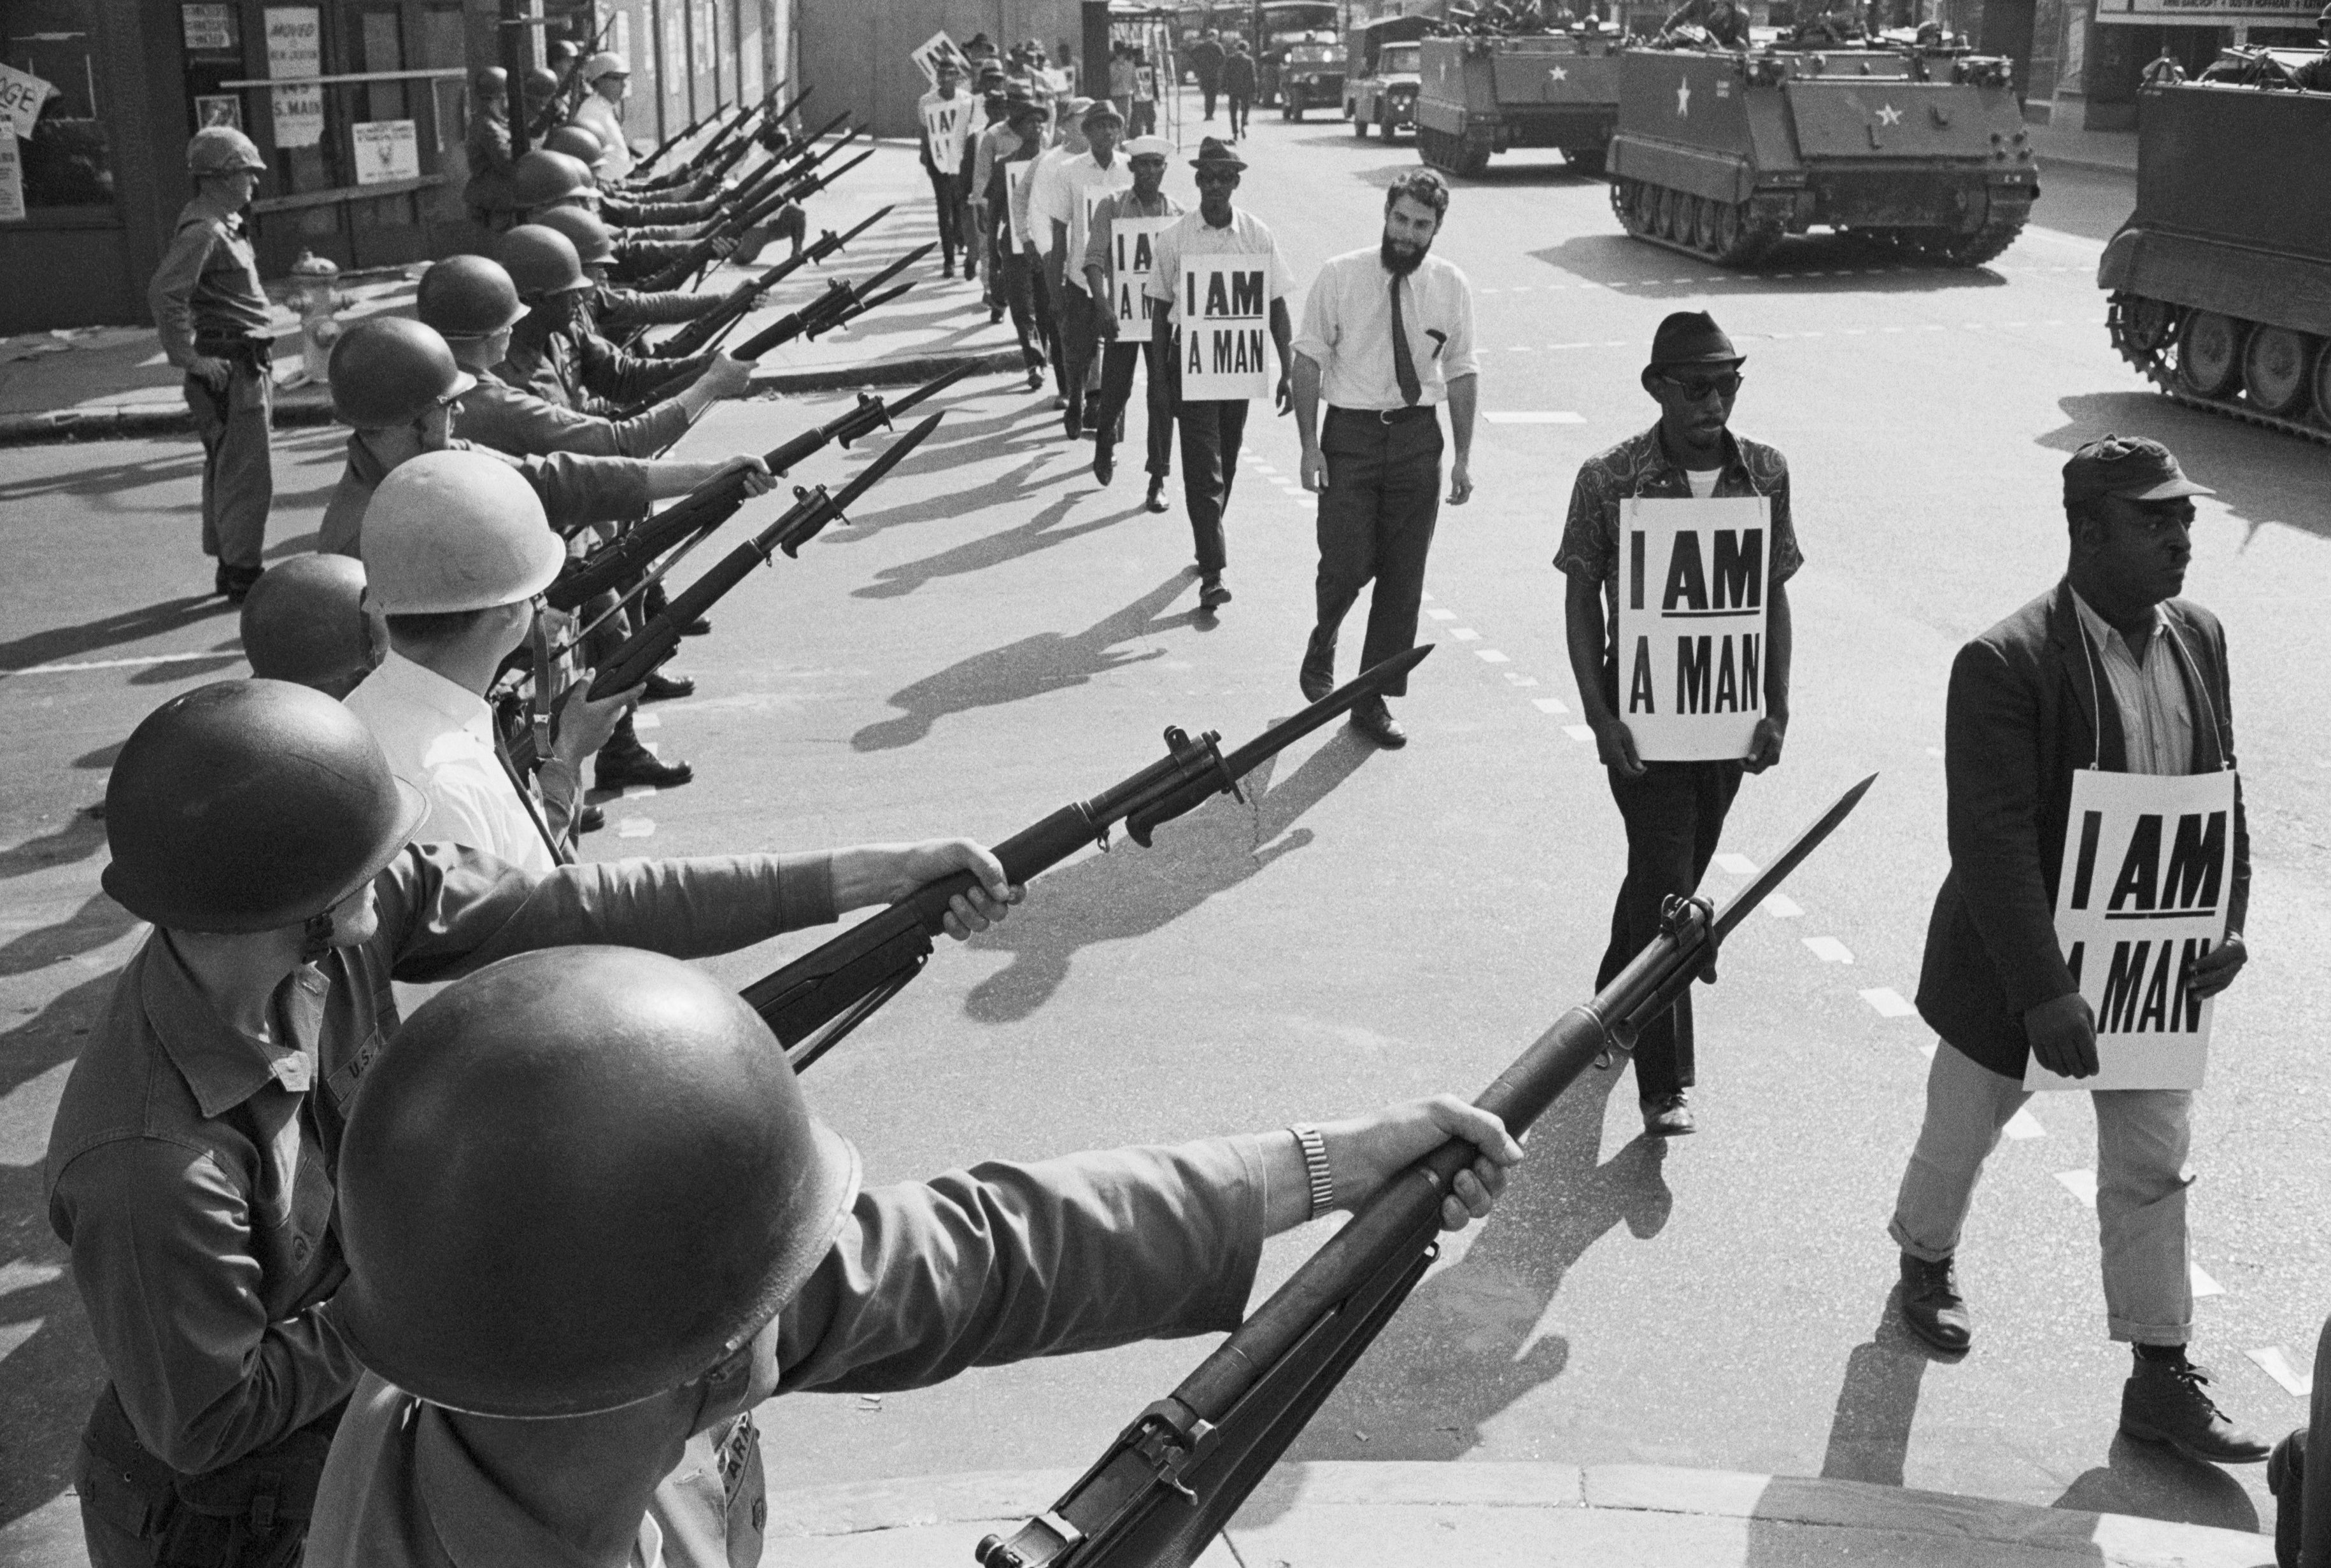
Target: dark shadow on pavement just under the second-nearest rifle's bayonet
(1132,894)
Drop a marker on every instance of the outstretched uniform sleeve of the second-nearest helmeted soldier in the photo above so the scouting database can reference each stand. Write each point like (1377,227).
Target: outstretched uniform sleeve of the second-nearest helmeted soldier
(446,910)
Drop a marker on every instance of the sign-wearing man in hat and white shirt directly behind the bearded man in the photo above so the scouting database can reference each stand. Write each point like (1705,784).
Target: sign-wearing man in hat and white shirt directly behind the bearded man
(1225,283)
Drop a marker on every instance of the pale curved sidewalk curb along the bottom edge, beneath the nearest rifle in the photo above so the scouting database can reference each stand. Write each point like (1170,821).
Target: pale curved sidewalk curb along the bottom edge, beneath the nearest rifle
(1334,1509)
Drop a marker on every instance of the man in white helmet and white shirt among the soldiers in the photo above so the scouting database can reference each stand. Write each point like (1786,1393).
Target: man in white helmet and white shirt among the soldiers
(456,553)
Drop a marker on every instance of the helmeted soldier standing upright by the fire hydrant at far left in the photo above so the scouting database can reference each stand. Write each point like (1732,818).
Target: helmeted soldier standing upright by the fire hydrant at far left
(213,320)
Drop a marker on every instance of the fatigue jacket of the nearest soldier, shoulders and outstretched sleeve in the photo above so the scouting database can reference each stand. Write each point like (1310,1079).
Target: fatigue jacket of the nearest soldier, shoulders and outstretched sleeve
(924,1280)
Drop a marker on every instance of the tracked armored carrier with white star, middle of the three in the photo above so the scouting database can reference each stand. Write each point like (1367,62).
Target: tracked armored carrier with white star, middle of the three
(1724,155)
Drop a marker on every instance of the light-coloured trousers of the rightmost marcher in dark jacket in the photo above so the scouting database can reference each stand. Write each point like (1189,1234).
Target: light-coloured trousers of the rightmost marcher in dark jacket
(2141,1185)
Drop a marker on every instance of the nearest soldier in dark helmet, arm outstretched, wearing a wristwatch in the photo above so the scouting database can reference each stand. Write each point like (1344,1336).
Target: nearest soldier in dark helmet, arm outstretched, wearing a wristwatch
(593,1222)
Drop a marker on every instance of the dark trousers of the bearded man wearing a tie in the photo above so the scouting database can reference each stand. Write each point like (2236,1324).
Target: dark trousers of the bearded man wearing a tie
(1376,521)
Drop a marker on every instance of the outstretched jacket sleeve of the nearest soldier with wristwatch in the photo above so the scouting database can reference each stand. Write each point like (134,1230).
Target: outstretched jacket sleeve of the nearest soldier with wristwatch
(1010,1262)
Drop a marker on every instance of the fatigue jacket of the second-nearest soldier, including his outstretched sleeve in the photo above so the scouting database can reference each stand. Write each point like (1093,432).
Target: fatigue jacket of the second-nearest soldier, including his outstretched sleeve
(190,1166)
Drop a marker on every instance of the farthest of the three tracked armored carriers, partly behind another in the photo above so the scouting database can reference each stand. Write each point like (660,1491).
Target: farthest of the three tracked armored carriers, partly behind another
(1484,97)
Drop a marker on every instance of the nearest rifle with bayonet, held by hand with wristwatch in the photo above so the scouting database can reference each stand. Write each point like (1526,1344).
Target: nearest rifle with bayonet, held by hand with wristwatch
(1174,1478)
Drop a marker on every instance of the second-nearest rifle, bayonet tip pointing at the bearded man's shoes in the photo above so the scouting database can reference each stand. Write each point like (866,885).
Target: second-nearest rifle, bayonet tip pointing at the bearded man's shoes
(826,994)
